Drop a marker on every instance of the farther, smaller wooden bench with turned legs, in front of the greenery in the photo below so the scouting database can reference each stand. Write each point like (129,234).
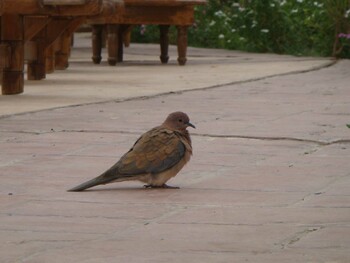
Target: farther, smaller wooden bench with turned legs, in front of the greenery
(164,13)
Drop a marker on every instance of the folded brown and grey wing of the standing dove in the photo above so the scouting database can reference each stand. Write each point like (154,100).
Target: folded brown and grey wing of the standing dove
(155,151)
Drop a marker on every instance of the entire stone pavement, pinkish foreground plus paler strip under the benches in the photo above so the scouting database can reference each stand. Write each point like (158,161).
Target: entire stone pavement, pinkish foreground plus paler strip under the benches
(269,180)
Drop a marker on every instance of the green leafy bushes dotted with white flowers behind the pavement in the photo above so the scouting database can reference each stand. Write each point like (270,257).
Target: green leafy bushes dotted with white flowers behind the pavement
(297,27)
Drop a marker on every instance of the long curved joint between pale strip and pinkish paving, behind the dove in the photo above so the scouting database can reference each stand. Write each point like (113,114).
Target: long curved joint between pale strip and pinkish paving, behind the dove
(136,98)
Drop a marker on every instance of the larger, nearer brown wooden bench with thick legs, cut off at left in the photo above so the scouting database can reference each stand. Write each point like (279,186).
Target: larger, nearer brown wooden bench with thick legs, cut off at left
(30,28)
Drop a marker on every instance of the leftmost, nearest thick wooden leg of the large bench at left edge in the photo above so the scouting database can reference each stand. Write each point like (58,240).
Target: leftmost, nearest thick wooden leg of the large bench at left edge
(12,34)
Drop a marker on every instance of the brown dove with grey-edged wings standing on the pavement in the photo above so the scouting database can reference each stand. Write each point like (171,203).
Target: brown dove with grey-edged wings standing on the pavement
(156,156)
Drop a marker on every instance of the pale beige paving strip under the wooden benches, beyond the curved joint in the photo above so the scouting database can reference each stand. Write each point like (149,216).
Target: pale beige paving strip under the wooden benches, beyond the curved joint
(142,74)
